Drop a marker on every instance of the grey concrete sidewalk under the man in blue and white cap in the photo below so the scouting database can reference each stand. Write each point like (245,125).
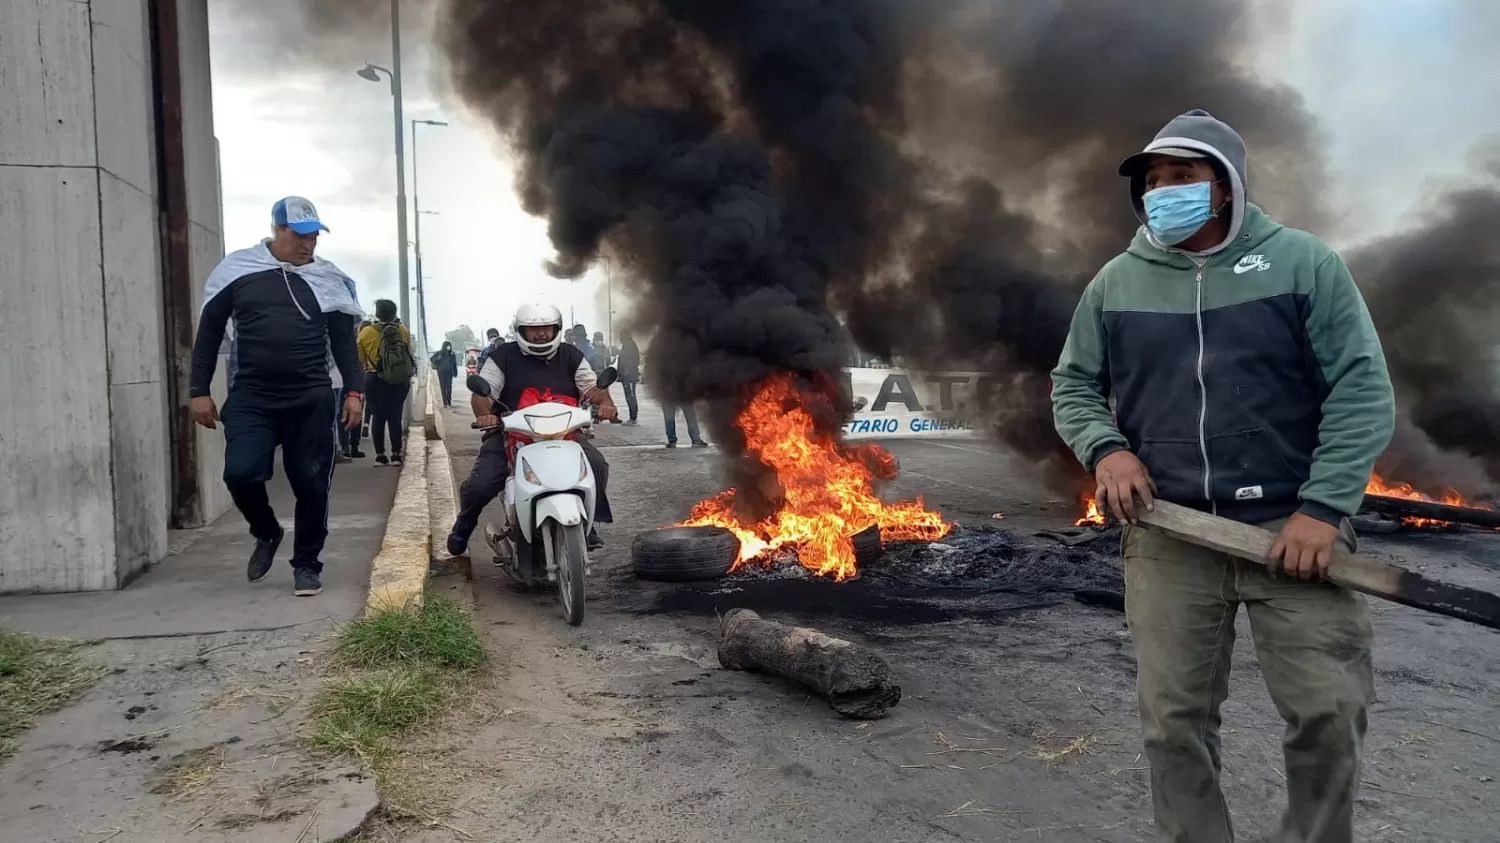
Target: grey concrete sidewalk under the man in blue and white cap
(200,706)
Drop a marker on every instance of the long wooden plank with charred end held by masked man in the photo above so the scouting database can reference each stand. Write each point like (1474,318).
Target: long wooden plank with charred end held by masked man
(1351,571)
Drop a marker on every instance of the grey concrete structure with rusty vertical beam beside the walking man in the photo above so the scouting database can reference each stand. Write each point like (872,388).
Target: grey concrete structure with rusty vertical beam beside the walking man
(110,221)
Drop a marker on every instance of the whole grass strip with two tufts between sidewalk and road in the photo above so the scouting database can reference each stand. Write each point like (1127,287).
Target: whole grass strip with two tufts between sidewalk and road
(401,670)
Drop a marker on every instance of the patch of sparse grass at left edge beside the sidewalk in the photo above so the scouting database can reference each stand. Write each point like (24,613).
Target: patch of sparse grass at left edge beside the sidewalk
(38,676)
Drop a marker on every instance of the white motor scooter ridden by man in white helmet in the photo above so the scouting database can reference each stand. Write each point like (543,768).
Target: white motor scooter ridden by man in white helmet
(550,497)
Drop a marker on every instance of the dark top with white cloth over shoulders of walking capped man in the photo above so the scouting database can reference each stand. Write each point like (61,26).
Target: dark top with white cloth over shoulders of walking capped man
(292,329)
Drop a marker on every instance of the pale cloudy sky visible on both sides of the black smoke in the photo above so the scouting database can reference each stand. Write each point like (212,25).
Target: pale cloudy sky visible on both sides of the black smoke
(1405,91)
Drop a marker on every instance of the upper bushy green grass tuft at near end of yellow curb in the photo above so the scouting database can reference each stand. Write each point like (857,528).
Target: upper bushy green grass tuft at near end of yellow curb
(439,635)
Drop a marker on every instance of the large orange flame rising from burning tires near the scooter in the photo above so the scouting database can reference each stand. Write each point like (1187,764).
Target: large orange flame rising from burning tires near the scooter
(827,490)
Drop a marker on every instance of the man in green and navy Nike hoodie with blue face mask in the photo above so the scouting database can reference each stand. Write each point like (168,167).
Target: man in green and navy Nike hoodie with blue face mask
(1247,382)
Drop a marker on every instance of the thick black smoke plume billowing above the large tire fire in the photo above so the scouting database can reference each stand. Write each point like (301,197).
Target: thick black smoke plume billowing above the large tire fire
(940,173)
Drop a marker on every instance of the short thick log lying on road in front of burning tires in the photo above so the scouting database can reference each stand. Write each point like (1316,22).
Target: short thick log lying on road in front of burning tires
(856,682)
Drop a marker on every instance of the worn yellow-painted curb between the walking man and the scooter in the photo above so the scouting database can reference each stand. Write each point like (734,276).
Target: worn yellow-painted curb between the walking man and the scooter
(400,572)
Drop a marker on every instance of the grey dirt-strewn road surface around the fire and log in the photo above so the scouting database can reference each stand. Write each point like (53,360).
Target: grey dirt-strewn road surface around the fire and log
(1016,724)
